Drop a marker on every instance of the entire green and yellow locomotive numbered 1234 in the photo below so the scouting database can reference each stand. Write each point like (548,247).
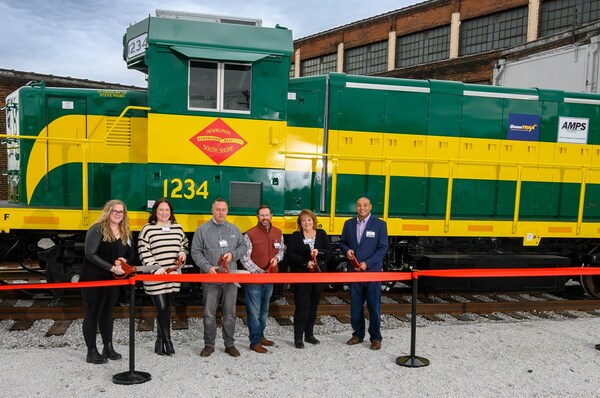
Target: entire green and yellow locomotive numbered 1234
(464,175)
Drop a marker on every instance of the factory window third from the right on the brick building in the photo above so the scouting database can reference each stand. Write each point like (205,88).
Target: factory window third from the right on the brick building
(423,47)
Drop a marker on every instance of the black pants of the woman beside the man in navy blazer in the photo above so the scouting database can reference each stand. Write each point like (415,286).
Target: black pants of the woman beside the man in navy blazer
(306,298)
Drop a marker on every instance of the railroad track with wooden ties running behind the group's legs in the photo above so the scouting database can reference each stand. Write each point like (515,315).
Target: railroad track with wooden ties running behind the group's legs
(25,310)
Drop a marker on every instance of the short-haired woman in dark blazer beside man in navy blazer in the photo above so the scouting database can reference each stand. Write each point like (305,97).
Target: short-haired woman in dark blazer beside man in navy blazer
(304,244)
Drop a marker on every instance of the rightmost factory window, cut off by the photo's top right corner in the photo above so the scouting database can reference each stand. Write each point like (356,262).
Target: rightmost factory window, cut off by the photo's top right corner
(559,15)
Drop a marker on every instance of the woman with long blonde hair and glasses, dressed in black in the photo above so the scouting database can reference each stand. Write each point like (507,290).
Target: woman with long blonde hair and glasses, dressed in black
(106,241)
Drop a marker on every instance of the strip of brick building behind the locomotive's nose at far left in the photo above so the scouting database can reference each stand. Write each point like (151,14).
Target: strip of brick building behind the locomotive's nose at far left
(11,80)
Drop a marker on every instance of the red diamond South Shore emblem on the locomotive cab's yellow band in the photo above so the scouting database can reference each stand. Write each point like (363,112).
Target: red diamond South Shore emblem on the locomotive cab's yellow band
(218,141)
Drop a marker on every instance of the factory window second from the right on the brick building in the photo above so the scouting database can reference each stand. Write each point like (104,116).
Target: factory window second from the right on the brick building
(493,32)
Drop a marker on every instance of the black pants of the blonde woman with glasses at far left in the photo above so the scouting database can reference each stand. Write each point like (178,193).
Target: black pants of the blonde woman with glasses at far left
(99,303)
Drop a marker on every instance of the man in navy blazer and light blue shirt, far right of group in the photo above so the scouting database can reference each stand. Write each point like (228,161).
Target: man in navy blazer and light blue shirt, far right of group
(365,237)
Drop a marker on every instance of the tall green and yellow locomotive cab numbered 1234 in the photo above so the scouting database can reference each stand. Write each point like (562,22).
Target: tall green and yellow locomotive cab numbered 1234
(217,94)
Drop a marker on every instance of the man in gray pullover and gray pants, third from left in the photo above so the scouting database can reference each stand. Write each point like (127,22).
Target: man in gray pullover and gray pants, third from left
(213,240)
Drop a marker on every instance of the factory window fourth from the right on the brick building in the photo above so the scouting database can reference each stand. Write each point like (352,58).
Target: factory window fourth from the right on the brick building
(366,60)
